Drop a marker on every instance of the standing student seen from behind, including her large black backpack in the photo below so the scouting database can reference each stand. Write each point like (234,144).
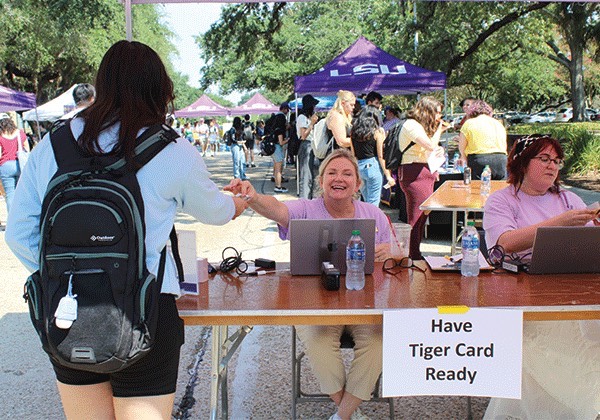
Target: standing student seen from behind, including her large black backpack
(115,202)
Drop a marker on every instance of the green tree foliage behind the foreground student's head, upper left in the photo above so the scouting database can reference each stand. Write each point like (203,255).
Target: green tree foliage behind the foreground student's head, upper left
(47,46)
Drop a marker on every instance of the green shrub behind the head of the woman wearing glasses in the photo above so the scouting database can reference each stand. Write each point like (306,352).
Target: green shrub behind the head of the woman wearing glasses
(580,141)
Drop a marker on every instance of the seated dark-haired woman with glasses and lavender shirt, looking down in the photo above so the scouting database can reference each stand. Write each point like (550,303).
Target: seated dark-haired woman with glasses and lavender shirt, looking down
(561,360)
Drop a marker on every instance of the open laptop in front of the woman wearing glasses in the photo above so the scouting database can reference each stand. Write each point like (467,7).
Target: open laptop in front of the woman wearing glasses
(566,249)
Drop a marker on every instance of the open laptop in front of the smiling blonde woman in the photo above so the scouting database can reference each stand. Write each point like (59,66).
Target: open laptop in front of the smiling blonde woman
(314,241)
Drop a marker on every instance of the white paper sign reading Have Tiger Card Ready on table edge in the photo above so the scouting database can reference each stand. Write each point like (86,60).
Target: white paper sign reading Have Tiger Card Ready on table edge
(476,353)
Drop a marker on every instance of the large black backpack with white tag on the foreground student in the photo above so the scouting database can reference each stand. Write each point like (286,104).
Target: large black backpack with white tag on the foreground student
(93,253)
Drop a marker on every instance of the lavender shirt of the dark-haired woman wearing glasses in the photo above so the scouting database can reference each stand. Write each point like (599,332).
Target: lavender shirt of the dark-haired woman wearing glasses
(506,210)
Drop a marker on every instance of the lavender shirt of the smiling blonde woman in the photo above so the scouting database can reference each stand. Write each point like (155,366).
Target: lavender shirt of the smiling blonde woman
(315,209)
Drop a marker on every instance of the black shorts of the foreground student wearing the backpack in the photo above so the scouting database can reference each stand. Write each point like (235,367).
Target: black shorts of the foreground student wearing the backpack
(153,374)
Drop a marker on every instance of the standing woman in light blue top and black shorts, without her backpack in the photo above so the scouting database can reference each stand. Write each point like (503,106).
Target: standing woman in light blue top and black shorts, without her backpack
(176,178)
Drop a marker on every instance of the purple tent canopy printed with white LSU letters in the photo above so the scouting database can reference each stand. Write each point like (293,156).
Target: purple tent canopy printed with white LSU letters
(363,68)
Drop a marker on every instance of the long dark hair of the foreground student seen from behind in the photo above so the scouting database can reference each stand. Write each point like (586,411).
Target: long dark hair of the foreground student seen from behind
(133,88)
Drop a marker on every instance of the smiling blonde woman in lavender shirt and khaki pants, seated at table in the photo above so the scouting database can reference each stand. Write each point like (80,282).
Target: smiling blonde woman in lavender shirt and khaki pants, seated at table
(339,182)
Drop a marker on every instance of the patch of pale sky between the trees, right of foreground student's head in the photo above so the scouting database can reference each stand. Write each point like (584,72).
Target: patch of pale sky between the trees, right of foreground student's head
(188,20)
